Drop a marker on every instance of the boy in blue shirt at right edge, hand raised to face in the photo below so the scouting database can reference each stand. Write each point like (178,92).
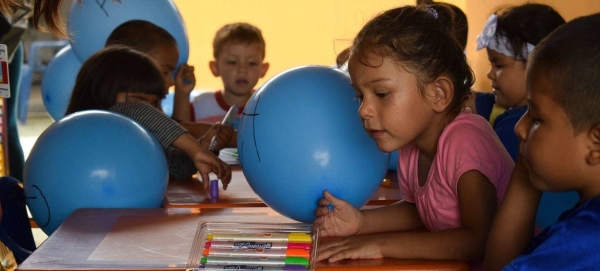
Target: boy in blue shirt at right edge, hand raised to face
(560,135)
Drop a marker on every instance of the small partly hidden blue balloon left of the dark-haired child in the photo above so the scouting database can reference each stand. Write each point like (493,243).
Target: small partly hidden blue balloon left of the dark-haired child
(58,82)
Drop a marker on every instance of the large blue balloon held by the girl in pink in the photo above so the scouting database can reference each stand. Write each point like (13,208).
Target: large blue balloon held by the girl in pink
(300,134)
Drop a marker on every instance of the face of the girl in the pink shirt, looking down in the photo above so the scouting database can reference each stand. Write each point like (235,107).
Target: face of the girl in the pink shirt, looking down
(393,110)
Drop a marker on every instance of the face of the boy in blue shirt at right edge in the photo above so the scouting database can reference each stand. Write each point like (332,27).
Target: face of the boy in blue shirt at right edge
(553,153)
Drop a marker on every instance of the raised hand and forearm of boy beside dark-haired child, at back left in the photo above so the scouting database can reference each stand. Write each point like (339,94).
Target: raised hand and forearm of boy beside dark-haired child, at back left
(185,81)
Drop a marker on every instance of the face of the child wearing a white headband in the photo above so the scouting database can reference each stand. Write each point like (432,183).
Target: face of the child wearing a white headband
(508,79)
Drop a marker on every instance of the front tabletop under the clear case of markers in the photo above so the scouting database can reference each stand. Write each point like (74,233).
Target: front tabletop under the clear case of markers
(161,239)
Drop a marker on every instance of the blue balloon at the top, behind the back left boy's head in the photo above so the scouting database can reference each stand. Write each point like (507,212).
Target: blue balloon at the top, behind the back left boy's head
(90,22)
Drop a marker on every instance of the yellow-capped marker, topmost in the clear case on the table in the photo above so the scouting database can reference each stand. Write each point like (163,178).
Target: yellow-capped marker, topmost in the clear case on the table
(294,237)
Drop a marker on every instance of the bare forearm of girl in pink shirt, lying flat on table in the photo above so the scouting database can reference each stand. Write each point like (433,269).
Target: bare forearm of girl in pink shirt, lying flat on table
(477,199)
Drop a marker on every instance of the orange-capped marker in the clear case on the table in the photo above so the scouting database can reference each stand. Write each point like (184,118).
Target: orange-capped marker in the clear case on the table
(257,252)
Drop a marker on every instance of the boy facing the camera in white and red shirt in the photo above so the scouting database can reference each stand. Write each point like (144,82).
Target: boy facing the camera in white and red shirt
(239,52)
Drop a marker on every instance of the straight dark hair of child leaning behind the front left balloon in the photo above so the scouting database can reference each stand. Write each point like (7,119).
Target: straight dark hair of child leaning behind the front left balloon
(113,70)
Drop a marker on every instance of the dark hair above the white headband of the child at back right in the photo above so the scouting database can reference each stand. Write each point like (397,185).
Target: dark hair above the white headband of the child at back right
(527,23)
